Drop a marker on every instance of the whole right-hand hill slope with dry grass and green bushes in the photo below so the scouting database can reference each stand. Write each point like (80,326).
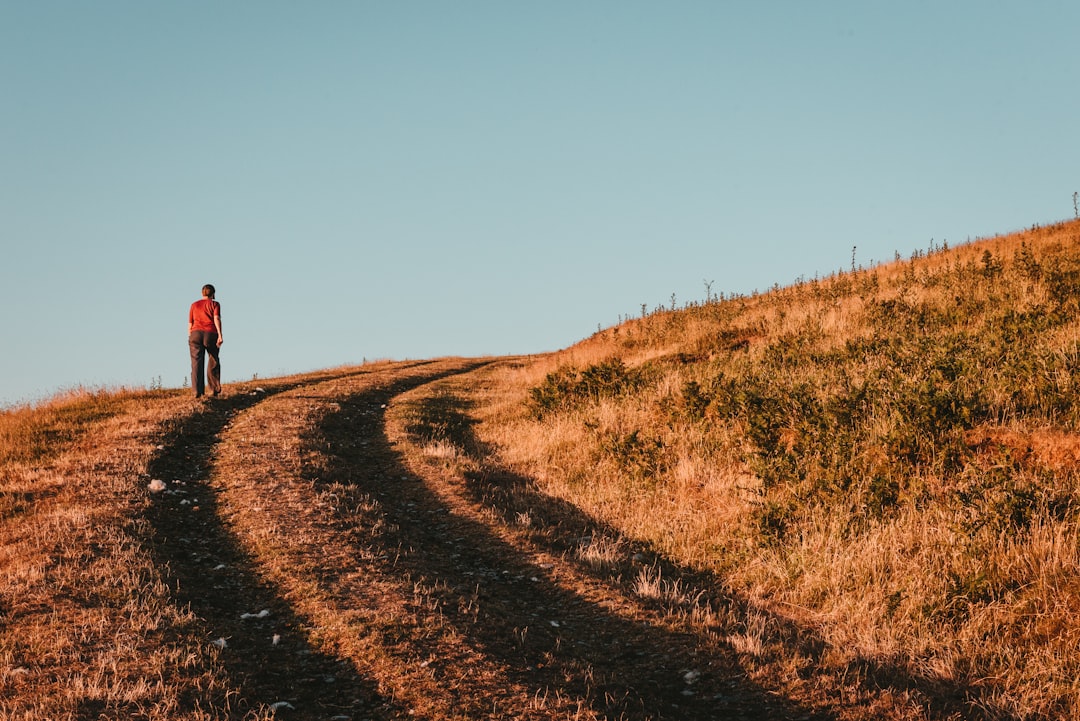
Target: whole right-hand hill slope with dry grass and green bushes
(886,459)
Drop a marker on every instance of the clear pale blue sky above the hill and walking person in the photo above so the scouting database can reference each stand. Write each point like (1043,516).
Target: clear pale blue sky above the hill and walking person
(413,180)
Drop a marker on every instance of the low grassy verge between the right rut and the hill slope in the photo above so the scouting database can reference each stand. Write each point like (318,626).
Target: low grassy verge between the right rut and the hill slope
(557,532)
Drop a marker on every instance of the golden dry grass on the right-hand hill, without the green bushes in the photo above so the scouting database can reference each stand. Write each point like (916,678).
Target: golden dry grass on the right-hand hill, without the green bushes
(936,589)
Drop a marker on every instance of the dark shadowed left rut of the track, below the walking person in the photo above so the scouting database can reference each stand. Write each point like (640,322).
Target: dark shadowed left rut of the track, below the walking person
(210,573)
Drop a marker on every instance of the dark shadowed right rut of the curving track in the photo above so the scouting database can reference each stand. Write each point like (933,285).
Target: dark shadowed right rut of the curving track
(550,640)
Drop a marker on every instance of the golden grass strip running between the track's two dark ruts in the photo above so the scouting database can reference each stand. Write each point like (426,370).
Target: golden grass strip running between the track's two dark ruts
(391,628)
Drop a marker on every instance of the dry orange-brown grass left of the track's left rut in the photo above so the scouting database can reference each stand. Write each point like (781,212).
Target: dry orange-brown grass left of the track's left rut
(88,625)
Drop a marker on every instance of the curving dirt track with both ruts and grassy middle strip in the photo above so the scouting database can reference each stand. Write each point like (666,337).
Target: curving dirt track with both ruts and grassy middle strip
(347,542)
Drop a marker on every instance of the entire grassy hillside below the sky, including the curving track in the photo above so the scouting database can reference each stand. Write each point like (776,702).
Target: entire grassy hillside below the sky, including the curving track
(854,498)
